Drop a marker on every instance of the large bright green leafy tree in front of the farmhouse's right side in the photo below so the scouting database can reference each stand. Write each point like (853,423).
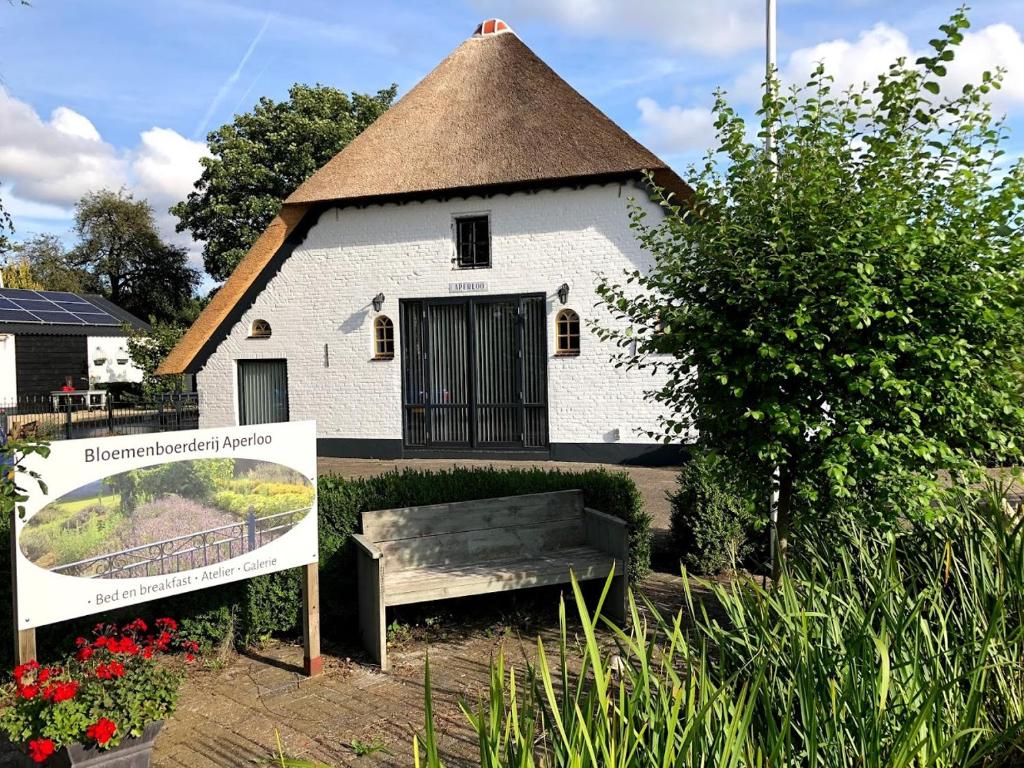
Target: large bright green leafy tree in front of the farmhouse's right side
(850,314)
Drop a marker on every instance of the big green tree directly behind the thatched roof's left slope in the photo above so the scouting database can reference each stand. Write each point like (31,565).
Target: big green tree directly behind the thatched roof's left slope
(261,158)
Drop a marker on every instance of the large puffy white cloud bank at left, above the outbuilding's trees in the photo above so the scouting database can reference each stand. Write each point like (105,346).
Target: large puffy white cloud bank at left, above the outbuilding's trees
(48,165)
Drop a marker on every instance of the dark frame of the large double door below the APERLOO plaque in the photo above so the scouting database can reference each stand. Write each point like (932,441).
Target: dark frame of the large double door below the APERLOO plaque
(472,302)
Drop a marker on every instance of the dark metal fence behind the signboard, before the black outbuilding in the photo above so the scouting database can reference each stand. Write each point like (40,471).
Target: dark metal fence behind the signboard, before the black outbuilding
(57,419)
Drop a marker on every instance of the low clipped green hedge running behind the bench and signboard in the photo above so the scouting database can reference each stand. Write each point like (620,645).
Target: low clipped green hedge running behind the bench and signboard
(259,608)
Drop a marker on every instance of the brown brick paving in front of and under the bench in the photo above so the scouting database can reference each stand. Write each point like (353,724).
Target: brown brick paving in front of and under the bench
(230,716)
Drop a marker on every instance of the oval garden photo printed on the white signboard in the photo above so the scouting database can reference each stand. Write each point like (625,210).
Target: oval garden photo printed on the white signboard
(167,519)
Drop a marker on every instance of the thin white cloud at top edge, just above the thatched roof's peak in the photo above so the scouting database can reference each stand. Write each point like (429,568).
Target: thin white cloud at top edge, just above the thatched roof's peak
(714,28)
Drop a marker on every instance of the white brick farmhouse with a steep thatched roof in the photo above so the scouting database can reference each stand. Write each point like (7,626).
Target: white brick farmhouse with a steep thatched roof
(430,292)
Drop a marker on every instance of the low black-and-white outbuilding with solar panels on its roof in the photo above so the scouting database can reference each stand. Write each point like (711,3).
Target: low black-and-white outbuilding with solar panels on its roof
(55,339)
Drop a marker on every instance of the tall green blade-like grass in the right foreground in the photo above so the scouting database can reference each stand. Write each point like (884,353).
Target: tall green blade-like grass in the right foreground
(875,651)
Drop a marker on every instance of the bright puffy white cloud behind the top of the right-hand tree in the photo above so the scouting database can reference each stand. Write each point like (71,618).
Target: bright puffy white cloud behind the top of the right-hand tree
(862,61)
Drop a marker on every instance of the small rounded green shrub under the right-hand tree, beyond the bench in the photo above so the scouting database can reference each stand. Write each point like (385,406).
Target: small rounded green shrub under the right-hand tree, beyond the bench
(714,524)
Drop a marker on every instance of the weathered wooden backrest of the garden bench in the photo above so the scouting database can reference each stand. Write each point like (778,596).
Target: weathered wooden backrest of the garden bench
(511,527)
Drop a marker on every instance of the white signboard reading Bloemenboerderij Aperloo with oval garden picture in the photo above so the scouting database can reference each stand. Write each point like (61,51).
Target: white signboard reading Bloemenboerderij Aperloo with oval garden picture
(137,519)
